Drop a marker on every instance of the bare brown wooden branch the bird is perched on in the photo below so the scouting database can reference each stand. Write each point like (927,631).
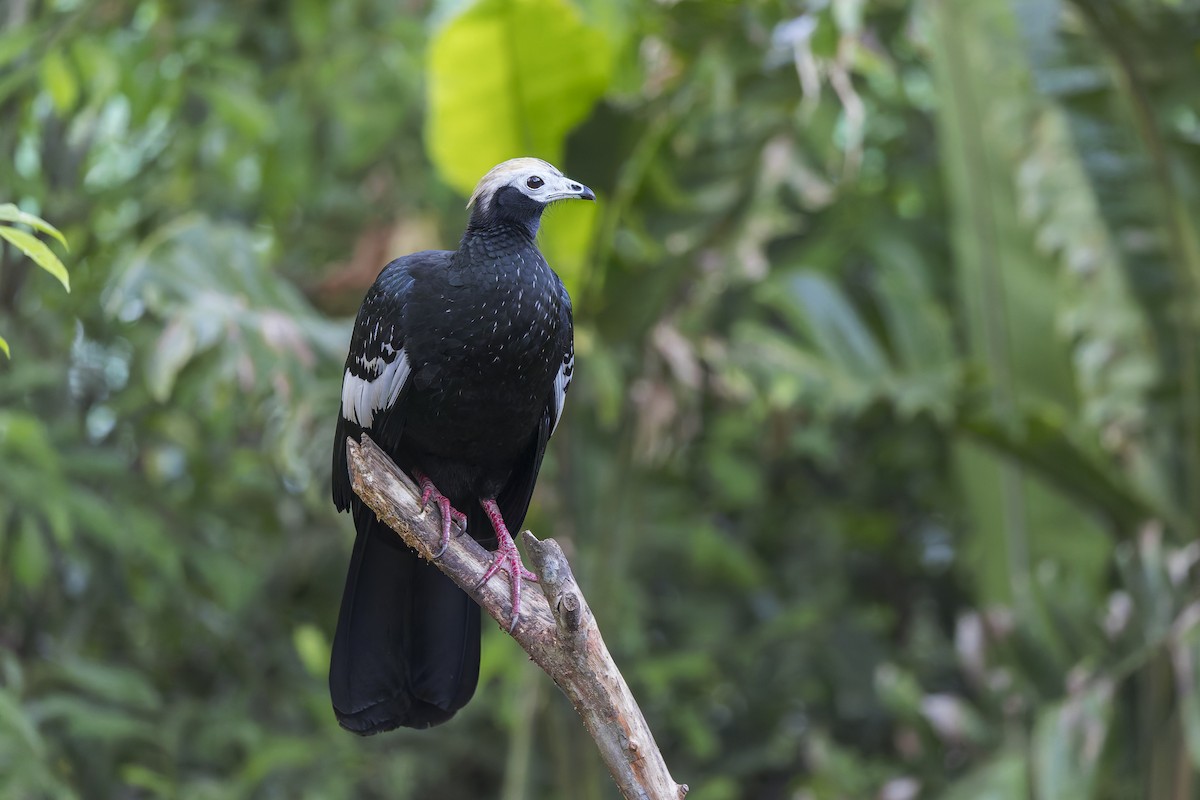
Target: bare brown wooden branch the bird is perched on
(556,628)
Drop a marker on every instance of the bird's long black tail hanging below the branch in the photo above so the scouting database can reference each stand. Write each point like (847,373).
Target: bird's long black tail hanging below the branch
(407,646)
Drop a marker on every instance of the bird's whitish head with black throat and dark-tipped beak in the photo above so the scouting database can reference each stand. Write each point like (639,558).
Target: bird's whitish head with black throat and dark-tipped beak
(518,191)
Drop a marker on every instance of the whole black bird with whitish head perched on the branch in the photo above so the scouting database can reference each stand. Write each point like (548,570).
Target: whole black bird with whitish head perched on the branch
(459,368)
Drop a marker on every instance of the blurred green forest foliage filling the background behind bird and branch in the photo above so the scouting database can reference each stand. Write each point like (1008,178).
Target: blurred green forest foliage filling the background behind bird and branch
(881,468)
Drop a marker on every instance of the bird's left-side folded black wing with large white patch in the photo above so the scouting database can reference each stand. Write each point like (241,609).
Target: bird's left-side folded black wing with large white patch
(377,369)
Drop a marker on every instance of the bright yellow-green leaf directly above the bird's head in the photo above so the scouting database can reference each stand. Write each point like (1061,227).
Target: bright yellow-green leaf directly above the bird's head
(511,79)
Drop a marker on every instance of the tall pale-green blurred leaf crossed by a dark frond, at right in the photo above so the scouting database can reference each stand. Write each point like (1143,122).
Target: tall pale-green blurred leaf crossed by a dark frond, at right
(1007,297)
